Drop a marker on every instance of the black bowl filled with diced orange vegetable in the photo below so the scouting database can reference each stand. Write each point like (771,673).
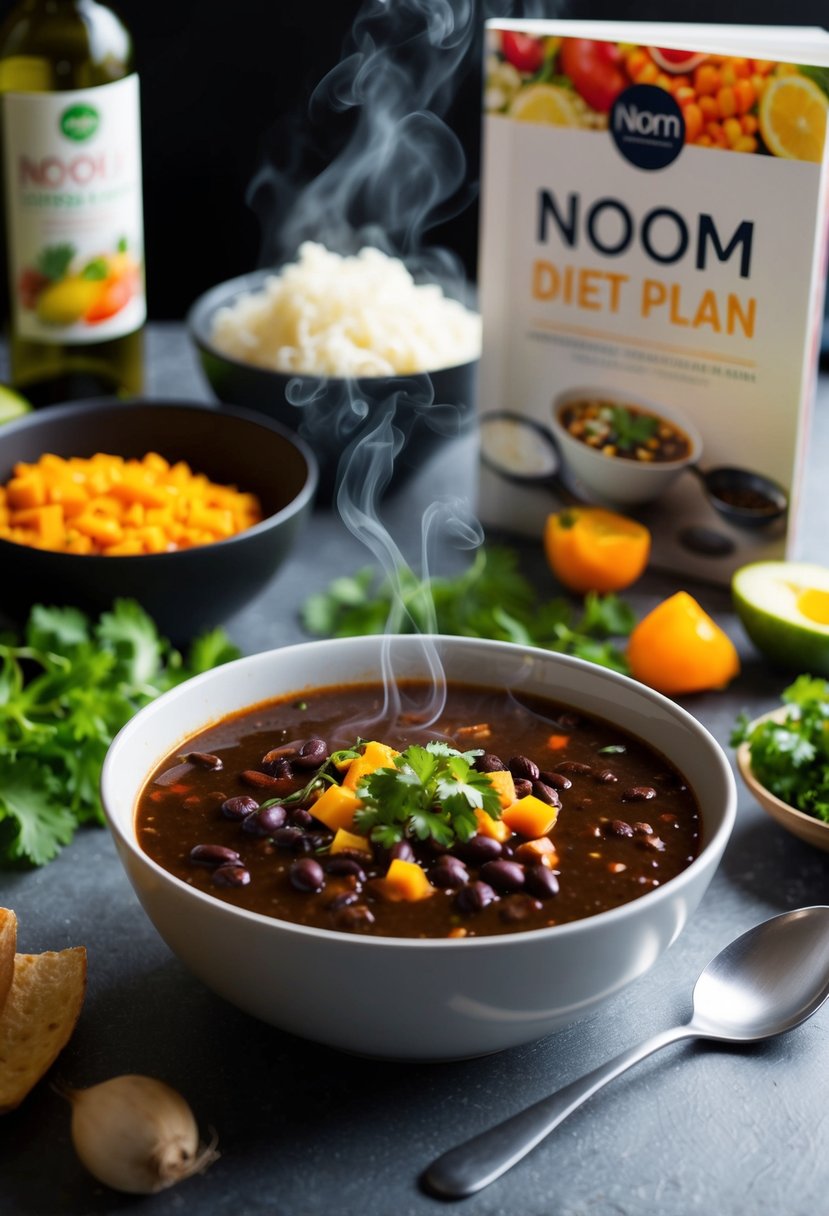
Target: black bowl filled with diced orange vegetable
(187,509)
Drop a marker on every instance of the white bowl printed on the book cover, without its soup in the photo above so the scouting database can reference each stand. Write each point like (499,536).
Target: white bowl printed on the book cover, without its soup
(618,481)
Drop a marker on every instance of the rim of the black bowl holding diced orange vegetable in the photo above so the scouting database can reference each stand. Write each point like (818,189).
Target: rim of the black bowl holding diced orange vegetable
(136,404)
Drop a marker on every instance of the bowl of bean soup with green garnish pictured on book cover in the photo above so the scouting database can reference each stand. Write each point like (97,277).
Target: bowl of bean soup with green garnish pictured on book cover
(622,448)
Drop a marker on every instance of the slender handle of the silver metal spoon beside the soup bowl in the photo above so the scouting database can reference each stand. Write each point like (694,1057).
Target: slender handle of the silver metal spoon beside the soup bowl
(481,1161)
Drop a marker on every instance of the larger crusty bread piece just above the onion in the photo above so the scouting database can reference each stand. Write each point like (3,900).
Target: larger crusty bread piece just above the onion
(38,1018)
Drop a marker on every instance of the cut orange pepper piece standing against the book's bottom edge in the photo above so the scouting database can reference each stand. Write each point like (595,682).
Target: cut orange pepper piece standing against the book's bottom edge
(590,549)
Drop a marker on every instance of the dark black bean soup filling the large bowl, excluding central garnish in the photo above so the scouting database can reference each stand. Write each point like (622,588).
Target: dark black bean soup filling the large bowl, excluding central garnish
(213,815)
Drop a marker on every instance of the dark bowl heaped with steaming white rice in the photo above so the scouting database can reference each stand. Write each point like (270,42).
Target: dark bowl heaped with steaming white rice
(375,371)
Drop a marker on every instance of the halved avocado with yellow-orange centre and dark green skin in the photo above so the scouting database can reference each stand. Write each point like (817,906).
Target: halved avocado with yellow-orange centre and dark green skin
(785,610)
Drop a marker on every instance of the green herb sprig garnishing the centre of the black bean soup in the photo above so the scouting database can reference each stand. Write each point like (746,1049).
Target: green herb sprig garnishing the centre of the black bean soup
(432,791)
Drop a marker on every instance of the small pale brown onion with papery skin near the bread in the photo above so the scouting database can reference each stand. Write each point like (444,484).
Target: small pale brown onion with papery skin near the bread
(137,1135)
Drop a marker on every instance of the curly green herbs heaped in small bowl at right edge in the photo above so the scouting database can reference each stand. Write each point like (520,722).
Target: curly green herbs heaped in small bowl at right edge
(792,758)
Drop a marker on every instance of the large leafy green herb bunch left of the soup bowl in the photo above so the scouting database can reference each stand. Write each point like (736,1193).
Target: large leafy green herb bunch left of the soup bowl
(66,689)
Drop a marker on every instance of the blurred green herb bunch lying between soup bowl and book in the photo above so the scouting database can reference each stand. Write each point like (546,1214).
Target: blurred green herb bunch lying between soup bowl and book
(492,599)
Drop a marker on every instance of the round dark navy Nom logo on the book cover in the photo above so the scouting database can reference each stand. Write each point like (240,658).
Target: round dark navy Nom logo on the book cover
(647,127)
